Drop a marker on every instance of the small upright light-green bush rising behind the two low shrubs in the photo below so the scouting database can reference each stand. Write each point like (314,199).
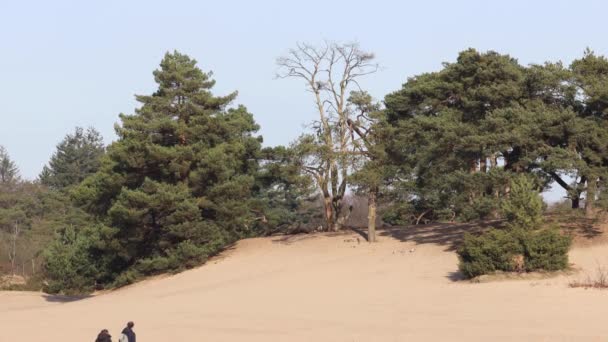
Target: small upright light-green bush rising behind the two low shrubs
(524,206)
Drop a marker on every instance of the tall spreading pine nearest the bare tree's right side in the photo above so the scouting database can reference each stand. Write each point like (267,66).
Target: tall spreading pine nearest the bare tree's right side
(446,159)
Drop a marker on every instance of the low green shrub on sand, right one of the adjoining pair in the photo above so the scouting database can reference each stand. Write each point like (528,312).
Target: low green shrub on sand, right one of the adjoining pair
(546,250)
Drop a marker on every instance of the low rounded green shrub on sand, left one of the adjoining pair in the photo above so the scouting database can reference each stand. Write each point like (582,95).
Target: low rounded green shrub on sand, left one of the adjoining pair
(495,250)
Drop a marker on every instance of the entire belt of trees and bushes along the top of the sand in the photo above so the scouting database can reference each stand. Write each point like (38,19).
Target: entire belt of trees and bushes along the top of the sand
(188,174)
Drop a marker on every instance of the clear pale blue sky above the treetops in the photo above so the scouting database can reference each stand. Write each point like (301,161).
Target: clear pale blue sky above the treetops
(80,63)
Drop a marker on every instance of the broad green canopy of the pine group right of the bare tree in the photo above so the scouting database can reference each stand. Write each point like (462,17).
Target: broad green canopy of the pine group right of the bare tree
(453,131)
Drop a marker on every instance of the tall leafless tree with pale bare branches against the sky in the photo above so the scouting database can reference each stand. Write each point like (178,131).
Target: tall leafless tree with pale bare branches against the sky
(330,72)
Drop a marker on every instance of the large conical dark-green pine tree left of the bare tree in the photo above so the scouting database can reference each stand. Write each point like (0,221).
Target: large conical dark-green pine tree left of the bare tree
(180,182)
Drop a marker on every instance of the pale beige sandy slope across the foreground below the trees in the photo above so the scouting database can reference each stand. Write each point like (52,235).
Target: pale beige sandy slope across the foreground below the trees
(326,288)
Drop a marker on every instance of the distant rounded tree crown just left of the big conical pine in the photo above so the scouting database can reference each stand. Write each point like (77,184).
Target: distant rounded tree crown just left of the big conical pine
(78,156)
